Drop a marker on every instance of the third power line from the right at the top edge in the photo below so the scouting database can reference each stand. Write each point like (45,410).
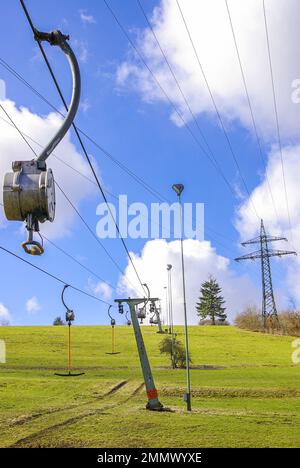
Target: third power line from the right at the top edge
(216,109)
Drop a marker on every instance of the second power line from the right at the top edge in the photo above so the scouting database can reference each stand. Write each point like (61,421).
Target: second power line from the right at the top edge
(250,107)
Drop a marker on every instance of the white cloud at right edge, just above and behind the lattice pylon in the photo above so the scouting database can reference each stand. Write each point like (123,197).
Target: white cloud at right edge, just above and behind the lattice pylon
(277,224)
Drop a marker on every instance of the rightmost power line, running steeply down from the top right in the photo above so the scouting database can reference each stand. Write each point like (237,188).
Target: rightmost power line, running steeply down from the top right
(277,118)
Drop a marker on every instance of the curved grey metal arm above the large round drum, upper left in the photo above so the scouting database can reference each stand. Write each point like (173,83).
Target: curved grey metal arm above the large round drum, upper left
(59,39)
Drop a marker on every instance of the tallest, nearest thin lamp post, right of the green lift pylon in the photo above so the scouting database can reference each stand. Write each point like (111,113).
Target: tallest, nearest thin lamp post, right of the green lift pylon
(178,189)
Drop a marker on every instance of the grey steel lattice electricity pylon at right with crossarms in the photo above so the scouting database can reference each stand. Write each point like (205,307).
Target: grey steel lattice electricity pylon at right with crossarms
(268,301)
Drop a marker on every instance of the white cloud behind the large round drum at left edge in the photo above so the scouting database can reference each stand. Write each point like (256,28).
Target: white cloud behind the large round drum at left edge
(42,128)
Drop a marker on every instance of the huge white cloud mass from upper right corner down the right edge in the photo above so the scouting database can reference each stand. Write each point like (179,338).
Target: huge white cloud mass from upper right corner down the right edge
(209,26)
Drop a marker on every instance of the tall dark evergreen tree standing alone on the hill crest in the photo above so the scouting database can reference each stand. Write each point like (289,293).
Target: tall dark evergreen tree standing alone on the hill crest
(211,302)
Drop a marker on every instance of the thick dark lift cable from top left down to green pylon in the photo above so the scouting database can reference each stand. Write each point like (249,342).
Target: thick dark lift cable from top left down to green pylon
(82,145)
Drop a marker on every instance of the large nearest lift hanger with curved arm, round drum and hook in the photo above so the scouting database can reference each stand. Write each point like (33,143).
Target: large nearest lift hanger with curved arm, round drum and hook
(29,191)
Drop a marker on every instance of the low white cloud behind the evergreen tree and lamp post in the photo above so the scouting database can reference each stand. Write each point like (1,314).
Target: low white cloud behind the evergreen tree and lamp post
(201,260)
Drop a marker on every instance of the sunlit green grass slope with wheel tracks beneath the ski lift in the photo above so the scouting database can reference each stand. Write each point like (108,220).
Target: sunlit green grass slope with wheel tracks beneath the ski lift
(247,397)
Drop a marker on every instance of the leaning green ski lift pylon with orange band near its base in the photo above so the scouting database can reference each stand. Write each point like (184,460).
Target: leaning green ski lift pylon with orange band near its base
(153,402)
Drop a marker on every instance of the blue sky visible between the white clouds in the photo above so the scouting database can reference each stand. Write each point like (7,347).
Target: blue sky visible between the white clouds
(138,133)
